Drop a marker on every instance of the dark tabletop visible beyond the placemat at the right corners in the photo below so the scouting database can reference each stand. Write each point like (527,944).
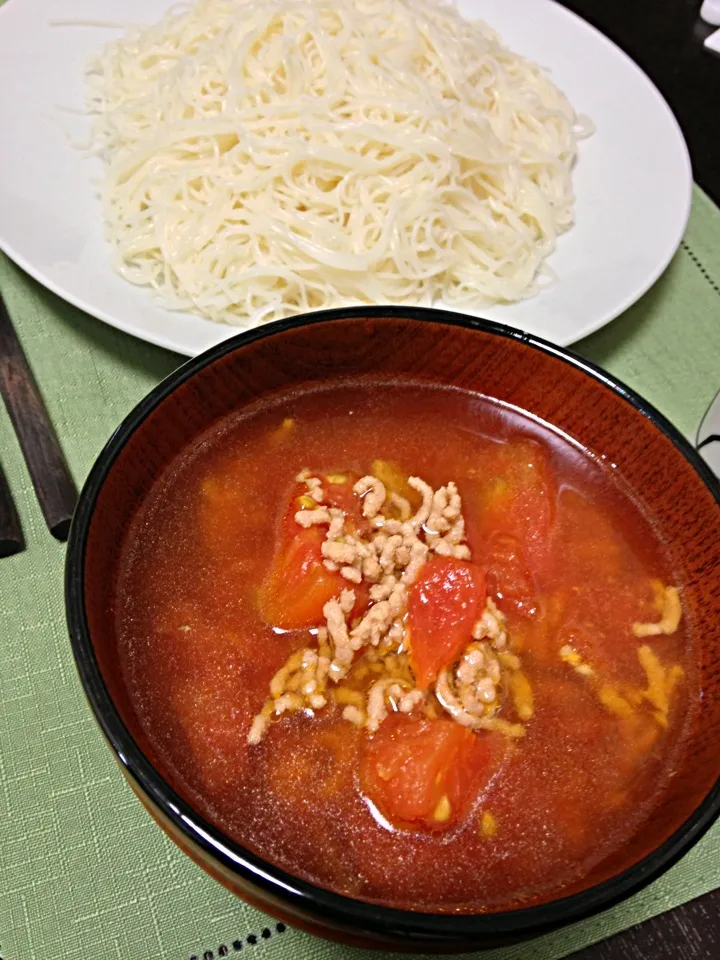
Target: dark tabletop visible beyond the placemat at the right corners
(666,38)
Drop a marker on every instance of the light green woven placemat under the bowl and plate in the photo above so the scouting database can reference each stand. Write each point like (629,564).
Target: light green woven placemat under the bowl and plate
(84,872)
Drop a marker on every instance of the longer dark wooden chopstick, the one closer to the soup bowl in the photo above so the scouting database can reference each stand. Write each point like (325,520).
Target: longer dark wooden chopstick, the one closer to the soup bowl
(54,487)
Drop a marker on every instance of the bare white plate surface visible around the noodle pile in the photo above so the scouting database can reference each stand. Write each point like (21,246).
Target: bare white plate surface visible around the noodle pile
(633,180)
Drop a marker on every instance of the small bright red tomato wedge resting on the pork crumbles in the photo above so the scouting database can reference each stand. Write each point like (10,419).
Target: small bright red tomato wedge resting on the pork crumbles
(443,605)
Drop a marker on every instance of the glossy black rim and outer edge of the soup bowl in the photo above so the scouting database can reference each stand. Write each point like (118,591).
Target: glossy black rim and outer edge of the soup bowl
(306,898)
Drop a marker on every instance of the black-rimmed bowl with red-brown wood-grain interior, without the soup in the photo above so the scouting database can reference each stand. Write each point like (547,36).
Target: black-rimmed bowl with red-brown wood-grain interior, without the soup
(438,348)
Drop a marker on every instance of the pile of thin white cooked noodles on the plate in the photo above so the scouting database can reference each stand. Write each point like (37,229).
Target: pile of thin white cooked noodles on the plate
(265,158)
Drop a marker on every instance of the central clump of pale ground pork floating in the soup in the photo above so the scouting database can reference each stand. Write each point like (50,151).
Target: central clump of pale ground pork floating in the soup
(389,559)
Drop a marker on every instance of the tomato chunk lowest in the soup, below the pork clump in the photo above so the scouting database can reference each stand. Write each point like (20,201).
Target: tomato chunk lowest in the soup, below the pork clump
(426,772)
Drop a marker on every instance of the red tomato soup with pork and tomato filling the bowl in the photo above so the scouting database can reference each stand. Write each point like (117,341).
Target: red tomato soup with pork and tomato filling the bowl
(406,643)
